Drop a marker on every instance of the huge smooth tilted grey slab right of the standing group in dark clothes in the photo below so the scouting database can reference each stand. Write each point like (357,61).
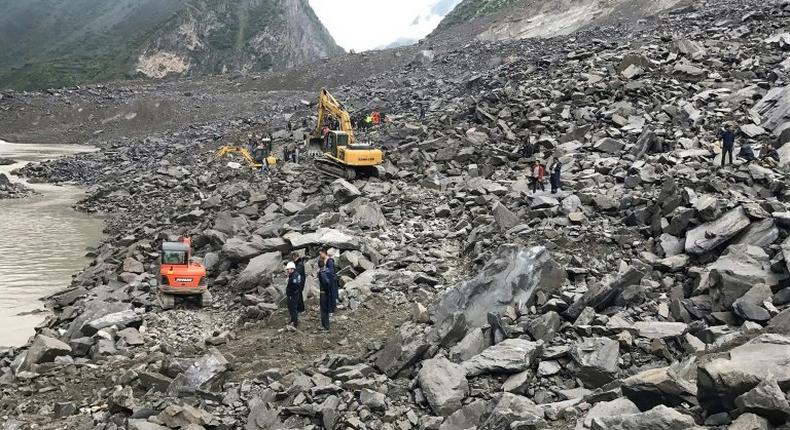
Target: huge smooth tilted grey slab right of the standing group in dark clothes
(513,276)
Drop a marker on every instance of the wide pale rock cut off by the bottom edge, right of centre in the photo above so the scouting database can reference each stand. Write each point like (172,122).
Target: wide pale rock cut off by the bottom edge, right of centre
(658,418)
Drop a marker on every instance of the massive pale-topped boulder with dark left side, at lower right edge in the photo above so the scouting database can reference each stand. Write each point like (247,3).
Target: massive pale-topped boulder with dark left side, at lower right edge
(721,380)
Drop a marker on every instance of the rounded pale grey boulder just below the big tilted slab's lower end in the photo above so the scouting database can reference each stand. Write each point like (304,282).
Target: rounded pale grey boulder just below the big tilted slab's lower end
(444,385)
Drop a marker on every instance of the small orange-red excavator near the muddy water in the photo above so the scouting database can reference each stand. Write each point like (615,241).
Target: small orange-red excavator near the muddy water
(179,276)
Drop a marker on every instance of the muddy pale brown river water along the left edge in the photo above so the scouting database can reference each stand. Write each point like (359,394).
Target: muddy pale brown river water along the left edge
(43,242)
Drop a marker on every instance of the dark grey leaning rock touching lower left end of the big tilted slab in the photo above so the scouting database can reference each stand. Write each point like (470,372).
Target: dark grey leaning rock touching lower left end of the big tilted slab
(402,350)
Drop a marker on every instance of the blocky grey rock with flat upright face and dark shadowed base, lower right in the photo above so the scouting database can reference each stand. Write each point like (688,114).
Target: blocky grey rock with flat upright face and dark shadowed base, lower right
(597,360)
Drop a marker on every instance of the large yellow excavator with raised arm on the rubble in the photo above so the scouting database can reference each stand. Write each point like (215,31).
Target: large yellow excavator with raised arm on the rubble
(340,155)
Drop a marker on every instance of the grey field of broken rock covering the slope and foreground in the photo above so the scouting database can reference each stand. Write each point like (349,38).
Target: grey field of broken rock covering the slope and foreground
(651,292)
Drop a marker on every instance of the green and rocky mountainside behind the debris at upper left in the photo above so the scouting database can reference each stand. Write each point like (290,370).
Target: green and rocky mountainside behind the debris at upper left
(55,43)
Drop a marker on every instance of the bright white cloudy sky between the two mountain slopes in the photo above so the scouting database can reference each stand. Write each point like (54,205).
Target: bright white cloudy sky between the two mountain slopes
(362,25)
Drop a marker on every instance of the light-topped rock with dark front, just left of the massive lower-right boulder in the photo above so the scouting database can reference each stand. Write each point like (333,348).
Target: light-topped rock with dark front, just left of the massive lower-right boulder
(662,386)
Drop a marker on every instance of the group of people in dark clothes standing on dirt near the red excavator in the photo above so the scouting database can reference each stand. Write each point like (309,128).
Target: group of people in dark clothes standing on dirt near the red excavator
(328,286)
